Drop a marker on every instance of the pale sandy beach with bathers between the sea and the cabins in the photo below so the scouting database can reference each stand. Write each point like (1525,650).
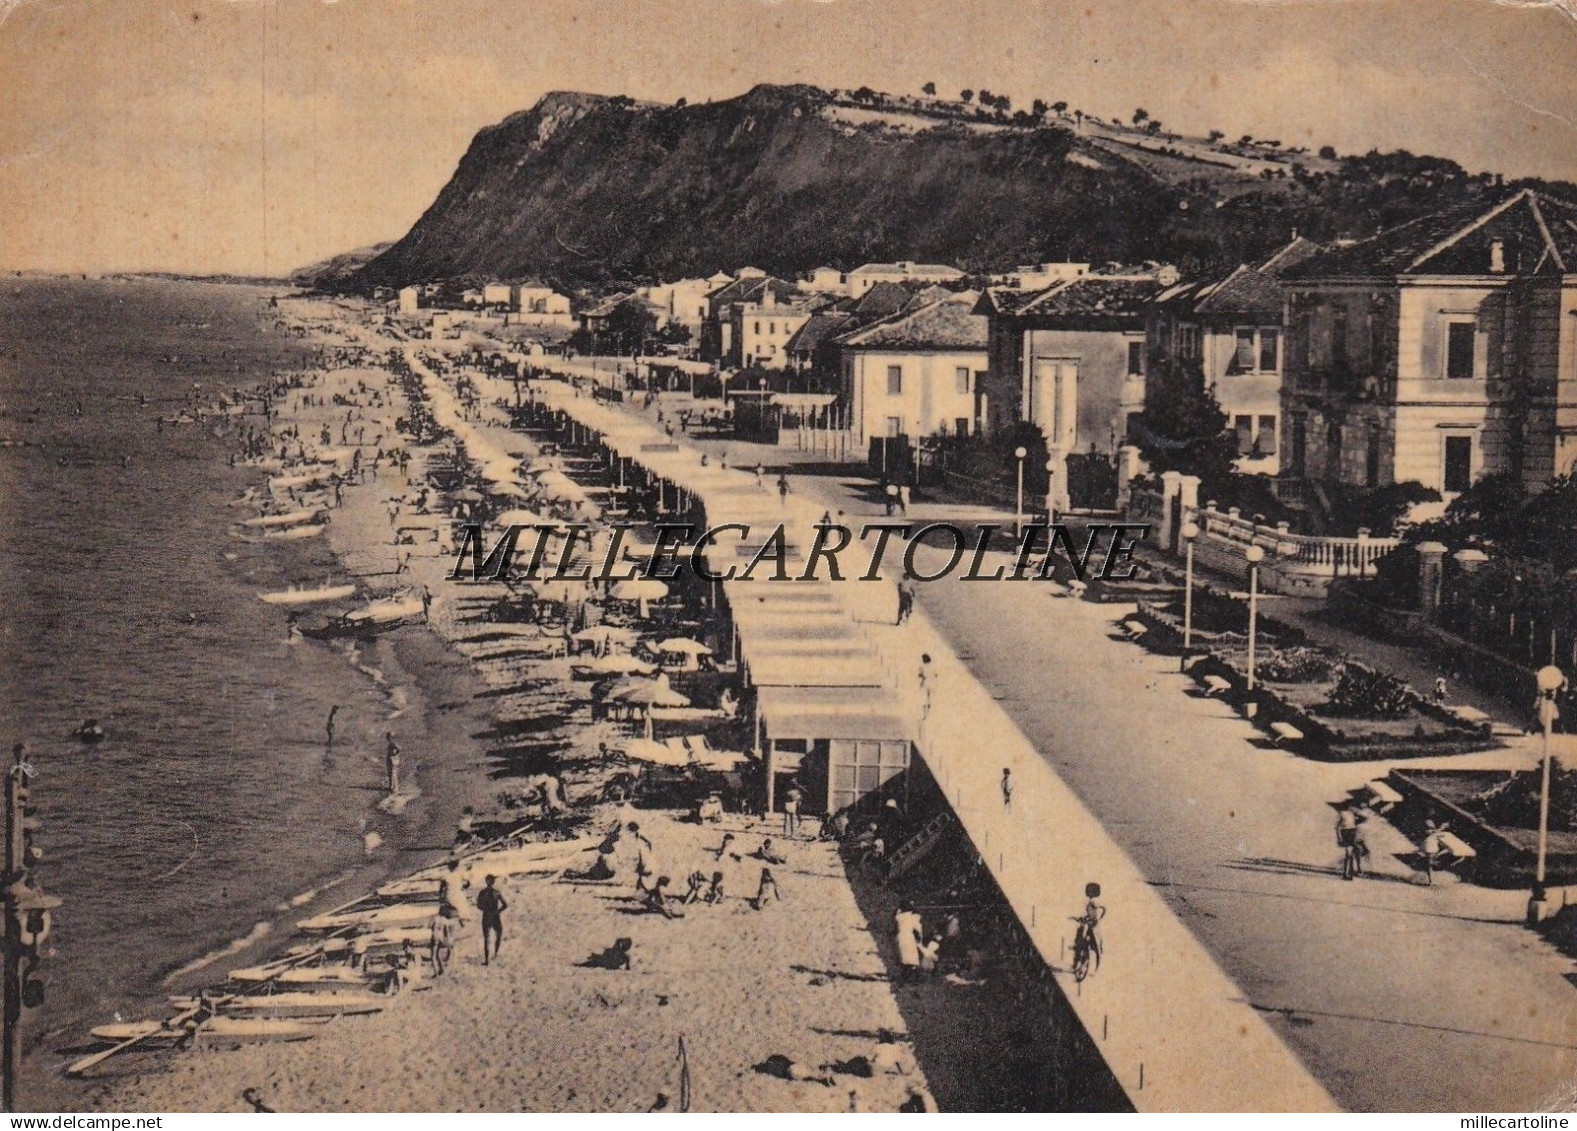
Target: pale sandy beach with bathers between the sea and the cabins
(715,1006)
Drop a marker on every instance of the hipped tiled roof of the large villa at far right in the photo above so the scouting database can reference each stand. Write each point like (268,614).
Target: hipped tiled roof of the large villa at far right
(1538,233)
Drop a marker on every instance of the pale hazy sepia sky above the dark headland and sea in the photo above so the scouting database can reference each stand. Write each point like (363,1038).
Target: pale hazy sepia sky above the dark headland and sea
(256,136)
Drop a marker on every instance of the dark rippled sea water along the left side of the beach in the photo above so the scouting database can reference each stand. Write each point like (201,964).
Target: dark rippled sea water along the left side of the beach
(214,802)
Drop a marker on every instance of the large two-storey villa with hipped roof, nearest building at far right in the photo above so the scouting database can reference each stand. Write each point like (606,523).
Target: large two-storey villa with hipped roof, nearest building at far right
(1439,353)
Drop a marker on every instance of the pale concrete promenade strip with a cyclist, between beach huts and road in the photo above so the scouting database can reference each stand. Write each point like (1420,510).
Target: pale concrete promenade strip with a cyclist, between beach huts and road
(1174,1028)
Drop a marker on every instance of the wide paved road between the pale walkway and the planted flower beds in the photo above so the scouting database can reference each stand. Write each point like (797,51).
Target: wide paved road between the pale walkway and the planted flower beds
(1396,996)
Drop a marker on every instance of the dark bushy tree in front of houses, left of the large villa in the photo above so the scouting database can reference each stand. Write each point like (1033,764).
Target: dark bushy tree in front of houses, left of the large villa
(1184,428)
